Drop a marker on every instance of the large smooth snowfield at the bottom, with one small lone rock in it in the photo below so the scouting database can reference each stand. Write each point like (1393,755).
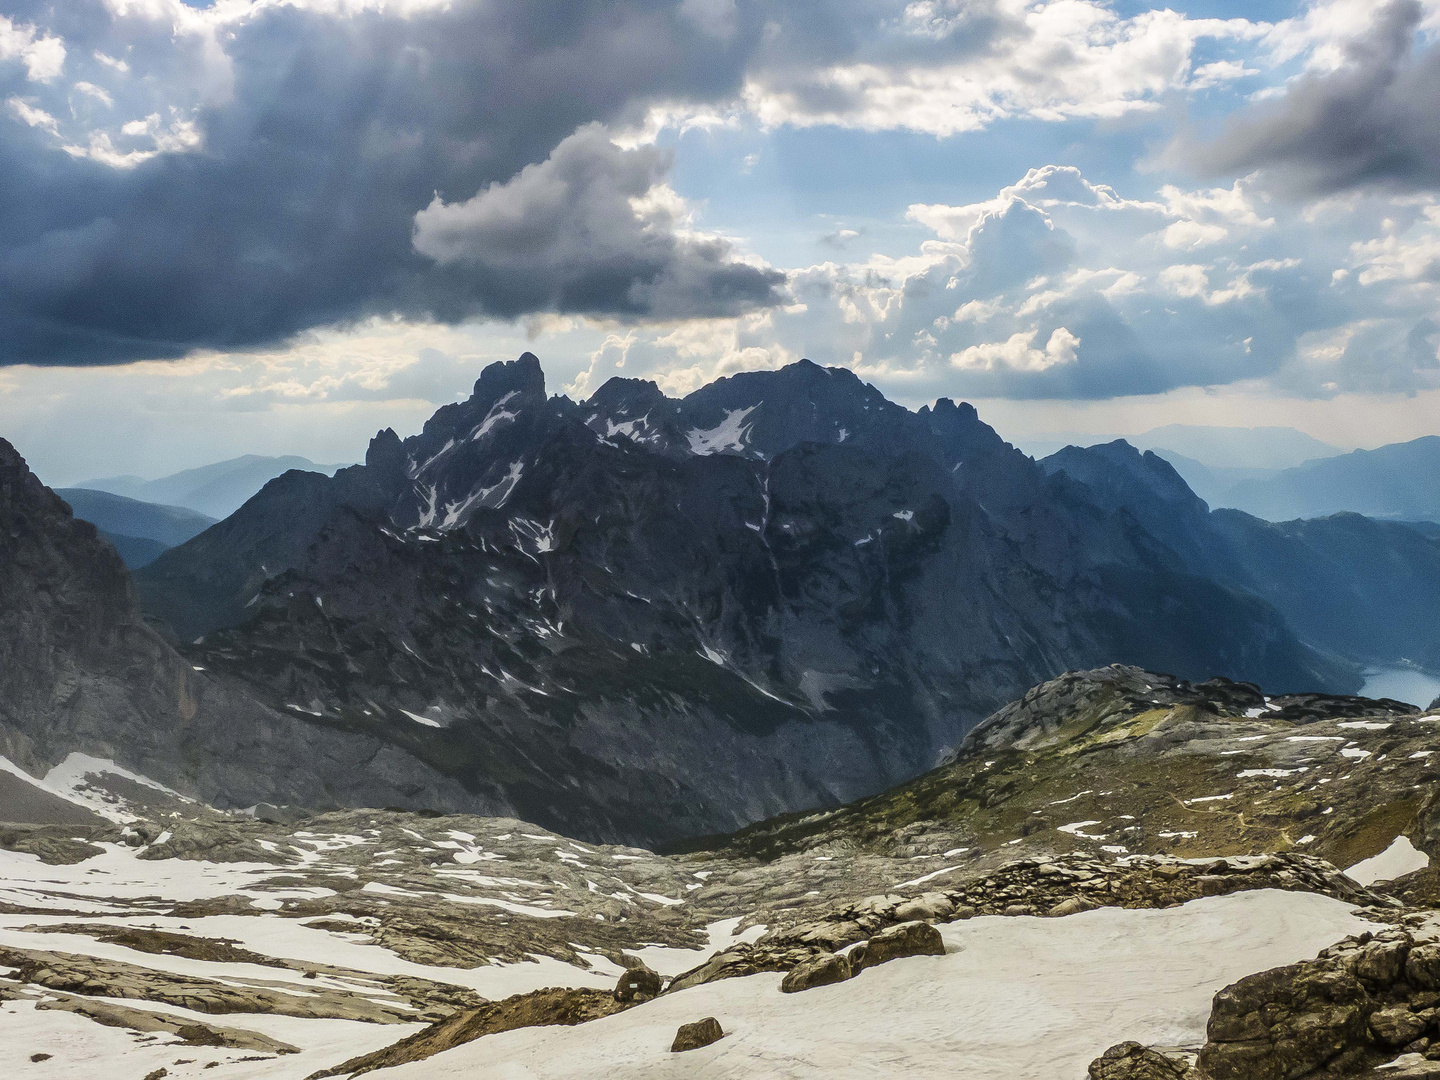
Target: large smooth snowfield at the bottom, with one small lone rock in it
(1016,999)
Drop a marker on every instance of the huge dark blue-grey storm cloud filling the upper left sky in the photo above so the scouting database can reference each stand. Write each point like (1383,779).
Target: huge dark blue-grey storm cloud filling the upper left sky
(322,140)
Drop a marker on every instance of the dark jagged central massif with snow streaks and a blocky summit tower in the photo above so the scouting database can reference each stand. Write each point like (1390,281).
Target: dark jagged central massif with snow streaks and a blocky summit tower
(652,618)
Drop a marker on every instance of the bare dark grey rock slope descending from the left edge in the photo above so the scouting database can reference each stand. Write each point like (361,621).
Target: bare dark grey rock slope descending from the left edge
(81,672)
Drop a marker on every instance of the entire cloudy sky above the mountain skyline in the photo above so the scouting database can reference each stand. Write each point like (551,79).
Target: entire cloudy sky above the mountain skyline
(274,227)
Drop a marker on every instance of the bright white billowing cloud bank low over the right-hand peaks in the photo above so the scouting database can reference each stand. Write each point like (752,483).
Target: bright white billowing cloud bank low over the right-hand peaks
(1063,289)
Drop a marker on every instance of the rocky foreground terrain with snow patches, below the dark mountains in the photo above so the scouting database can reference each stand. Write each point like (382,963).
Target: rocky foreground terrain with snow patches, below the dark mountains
(1121,873)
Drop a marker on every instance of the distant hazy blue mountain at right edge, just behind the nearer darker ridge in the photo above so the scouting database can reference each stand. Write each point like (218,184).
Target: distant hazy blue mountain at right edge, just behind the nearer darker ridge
(1400,483)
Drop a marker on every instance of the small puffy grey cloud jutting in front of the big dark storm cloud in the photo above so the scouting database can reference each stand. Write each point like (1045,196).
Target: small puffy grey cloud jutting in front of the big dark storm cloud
(593,228)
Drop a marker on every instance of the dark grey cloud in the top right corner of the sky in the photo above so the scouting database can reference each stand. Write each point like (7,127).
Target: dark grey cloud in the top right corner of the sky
(1374,122)
